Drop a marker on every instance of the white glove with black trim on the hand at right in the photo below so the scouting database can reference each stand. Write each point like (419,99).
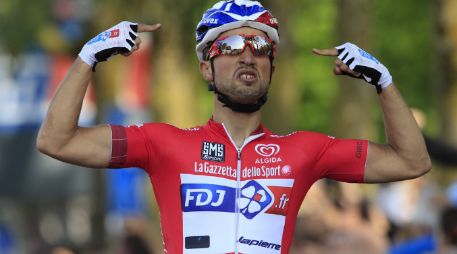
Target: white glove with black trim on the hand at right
(370,69)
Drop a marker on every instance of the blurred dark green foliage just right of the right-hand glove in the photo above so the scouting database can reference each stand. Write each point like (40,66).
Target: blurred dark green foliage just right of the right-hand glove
(404,42)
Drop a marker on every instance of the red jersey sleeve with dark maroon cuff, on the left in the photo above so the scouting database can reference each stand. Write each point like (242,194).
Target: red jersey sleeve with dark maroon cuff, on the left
(129,147)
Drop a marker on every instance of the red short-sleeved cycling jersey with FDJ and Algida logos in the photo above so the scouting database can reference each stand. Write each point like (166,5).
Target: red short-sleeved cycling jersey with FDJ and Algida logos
(215,197)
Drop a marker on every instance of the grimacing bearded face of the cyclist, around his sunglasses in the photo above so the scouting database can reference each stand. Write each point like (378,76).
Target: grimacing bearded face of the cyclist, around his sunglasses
(243,78)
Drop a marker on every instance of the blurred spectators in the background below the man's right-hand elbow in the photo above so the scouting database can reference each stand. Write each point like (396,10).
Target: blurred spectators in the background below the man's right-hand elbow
(416,216)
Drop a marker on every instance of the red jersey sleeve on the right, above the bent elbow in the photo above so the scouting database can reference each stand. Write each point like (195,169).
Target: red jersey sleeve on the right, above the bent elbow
(343,160)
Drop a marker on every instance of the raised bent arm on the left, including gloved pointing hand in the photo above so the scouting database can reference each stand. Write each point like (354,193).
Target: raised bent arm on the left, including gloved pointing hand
(60,136)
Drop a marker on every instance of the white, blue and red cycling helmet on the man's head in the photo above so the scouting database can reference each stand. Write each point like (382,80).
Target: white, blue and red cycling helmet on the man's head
(228,15)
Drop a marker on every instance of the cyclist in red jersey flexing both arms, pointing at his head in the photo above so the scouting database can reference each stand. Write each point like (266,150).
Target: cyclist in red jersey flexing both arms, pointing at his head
(232,186)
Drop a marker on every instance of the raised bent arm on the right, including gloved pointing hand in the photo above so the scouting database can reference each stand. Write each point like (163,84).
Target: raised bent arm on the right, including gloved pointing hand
(405,155)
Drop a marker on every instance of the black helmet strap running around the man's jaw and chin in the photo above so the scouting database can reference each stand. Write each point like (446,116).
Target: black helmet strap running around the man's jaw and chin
(235,106)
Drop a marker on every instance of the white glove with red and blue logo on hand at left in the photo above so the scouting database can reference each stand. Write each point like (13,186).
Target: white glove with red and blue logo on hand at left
(118,39)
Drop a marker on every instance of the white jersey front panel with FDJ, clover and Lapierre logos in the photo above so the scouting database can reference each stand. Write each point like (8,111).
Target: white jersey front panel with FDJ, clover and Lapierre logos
(209,213)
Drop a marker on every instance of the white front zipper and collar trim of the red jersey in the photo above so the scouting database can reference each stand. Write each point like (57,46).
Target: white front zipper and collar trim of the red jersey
(238,179)
